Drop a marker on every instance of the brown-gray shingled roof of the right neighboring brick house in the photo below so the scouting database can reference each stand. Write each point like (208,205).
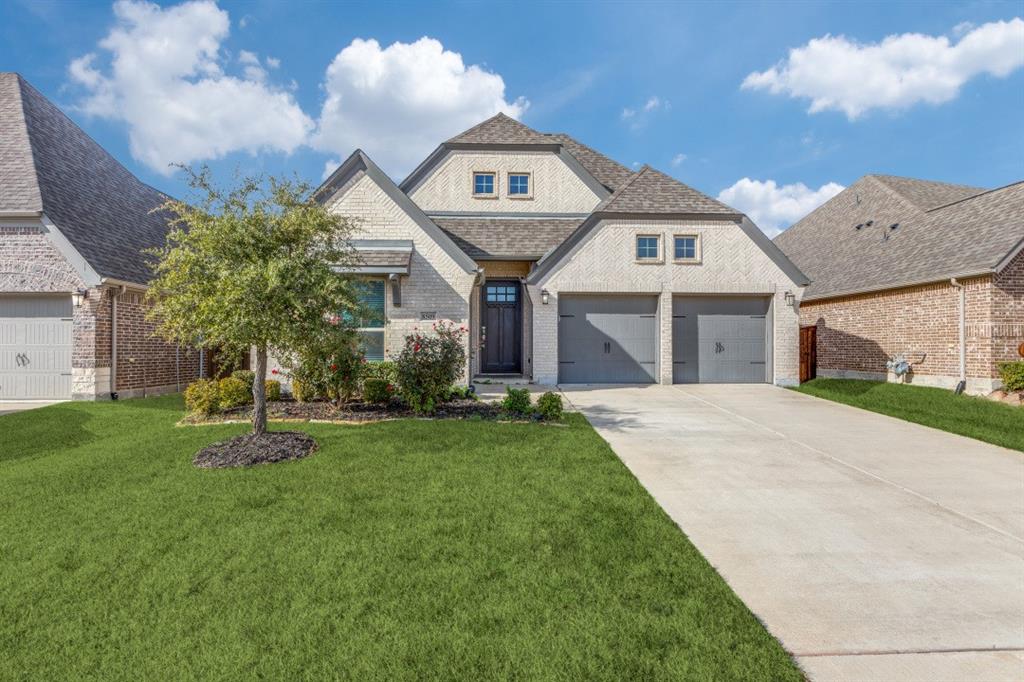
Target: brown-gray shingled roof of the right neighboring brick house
(969,237)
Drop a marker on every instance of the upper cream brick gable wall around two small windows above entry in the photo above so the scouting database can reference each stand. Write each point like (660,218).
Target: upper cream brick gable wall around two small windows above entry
(557,188)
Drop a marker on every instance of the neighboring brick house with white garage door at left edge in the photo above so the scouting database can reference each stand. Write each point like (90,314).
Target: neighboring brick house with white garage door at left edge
(73,226)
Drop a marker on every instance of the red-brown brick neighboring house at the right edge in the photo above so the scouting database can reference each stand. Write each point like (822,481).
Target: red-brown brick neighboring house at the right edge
(889,261)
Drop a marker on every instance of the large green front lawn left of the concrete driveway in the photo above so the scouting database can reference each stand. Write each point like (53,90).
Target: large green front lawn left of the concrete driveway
(403,550)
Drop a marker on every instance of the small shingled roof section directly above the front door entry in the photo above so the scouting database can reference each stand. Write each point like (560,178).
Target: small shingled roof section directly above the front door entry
(525,239)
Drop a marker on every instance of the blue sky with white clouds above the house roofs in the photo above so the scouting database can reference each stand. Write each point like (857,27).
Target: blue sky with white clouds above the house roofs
(773,107)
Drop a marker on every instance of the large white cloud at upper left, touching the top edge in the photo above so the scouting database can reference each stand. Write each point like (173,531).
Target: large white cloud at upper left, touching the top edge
(166,81)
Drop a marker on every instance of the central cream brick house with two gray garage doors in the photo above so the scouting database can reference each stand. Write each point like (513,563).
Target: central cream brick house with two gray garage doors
(567,267)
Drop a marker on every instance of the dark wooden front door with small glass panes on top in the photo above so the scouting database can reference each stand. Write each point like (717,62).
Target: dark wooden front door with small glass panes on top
(501,333)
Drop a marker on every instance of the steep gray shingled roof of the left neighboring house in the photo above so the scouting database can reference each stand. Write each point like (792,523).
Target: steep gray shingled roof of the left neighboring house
(96,202)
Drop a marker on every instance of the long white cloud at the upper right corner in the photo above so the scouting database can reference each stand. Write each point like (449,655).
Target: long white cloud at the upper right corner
(839,74)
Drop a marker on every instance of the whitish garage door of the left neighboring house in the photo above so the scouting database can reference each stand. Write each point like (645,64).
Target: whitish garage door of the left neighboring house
(35,348)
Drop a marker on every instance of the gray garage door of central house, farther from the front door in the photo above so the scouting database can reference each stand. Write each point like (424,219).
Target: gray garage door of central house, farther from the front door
(720,339)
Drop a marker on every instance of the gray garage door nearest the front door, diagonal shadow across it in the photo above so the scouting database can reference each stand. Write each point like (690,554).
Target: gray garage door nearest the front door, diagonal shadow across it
(608,339)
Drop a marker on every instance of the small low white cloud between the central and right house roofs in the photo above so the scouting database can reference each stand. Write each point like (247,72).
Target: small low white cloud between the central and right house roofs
(775,208)
